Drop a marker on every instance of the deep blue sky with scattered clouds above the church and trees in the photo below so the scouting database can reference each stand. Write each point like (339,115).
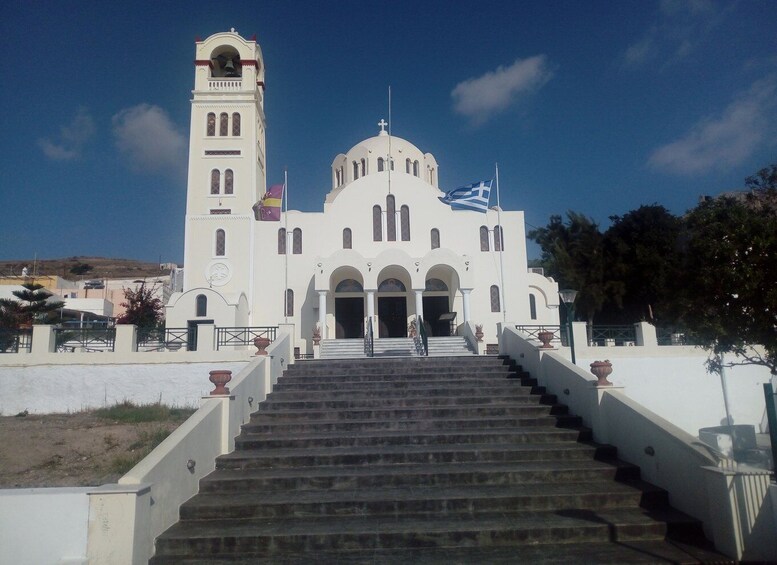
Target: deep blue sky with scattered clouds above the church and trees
(597,107)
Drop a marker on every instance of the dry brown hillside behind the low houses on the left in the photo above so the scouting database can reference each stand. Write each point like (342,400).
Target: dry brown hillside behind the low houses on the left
(102,267)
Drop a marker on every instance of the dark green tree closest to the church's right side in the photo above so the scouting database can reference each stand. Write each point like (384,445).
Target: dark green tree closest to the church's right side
(573,253)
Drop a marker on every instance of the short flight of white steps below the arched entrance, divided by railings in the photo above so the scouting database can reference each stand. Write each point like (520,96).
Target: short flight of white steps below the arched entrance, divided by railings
(393,347)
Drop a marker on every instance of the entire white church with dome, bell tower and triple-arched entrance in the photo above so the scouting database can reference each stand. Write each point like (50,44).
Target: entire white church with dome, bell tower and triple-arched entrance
(384,250)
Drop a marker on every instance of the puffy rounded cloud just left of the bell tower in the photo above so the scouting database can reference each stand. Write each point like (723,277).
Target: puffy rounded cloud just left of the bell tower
(149,140)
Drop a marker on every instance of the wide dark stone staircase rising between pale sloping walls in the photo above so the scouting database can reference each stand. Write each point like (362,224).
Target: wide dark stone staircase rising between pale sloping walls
(428,460)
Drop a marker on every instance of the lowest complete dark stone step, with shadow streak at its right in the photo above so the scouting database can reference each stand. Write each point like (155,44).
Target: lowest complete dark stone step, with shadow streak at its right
(280,537)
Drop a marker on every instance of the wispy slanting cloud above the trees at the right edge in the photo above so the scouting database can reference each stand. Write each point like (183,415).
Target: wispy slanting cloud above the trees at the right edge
(719,142)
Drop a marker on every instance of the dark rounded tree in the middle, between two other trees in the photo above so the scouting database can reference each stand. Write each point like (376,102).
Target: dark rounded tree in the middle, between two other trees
(643,255)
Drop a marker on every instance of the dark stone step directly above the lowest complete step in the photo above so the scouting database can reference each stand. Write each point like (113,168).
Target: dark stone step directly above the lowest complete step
(442,501)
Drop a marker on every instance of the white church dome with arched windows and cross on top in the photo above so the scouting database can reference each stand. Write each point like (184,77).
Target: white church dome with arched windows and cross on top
(376,154)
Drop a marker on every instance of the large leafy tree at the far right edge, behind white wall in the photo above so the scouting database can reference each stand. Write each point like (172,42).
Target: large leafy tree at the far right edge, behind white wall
(728,299)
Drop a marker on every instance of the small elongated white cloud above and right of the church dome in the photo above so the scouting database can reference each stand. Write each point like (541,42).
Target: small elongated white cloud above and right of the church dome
(481,98)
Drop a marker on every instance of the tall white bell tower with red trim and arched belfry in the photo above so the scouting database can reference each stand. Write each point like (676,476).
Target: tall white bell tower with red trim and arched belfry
(227,166)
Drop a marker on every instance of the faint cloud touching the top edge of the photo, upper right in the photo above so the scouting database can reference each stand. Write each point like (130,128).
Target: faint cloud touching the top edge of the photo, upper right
(680,26)
